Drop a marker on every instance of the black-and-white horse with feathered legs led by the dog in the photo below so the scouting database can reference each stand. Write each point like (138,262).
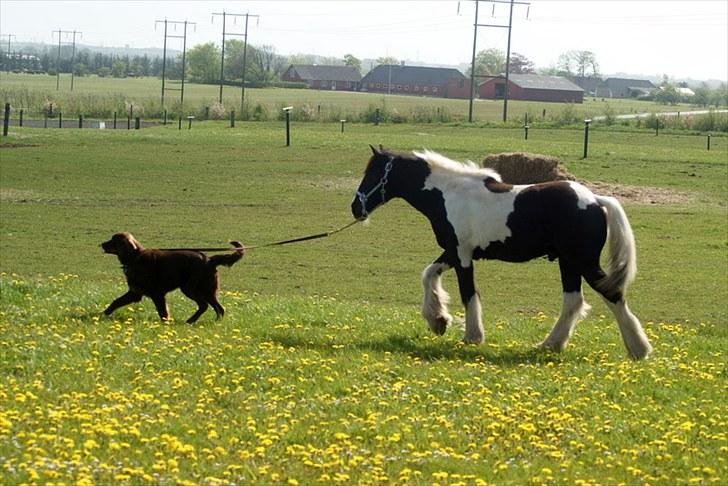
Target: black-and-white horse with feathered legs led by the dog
(475,215)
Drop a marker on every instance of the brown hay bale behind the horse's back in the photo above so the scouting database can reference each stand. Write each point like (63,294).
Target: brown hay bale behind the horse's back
(526,168)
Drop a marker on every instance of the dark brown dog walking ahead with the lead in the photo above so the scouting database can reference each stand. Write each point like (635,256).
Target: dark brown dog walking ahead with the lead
(154,273)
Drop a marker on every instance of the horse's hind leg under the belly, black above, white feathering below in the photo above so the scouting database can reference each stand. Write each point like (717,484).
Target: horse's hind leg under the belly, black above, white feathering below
(573,308)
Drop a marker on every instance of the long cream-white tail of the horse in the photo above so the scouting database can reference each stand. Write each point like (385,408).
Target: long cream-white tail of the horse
(622,264)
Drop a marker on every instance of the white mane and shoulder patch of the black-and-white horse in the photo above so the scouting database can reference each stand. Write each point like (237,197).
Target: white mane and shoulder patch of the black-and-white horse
(477,215)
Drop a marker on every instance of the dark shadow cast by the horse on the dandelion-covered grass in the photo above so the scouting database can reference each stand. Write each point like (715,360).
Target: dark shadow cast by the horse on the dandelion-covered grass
(432,350)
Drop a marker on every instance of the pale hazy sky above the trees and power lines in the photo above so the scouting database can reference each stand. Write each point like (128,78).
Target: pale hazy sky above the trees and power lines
(683,39)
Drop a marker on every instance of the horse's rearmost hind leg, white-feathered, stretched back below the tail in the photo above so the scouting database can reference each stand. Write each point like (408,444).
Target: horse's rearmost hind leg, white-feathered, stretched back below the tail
(634,337)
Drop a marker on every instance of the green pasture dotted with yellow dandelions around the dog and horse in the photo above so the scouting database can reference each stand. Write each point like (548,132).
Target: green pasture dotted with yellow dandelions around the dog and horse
(322,370)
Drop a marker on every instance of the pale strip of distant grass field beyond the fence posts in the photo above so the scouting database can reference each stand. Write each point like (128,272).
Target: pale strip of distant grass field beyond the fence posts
(94,96)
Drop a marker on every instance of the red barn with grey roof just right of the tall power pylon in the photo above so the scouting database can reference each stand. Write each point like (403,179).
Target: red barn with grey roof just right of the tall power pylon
(531,87)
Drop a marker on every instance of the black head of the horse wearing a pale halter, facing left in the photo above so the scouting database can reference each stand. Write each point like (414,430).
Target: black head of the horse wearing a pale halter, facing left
(372,191)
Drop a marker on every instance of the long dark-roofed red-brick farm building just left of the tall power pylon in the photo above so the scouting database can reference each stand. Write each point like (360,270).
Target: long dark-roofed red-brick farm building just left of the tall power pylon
(417,80)
